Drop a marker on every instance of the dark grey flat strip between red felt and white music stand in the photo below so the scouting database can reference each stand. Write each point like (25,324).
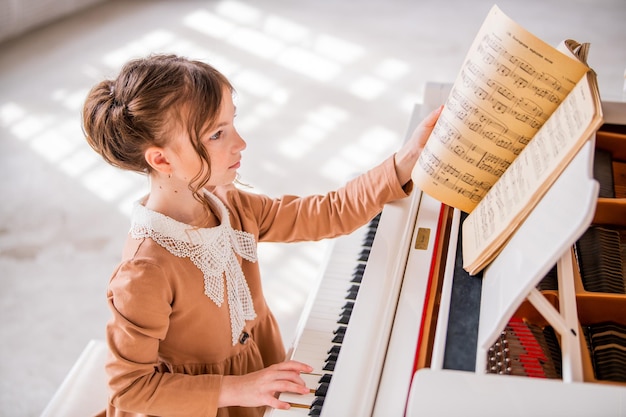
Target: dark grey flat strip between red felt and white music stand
(462,334)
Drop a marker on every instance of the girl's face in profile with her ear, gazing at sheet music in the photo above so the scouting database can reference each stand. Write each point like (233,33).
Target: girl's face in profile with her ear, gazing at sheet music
(222,143)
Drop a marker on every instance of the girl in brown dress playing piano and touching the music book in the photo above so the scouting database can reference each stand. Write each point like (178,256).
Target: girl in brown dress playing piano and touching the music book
(190,332)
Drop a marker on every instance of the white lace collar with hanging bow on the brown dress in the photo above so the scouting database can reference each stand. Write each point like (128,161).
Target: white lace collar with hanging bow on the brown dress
(212,250)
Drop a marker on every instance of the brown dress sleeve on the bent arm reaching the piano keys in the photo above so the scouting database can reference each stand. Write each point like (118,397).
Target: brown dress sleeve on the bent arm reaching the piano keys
(140,297)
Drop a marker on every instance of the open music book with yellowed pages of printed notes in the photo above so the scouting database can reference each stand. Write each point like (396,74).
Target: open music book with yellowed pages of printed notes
(517,114)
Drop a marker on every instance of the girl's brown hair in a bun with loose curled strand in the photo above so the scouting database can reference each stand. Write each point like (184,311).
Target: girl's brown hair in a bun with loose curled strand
(150,96)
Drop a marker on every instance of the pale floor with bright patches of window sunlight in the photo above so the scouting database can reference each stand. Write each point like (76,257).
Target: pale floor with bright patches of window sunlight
(325,91)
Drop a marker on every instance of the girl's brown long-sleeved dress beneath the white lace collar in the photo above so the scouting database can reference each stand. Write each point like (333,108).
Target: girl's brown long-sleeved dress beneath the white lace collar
(170,344)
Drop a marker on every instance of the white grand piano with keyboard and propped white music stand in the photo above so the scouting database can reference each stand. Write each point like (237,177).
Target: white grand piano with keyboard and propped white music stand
(397,328)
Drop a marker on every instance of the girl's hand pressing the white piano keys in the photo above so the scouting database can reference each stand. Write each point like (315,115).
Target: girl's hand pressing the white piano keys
(259,388)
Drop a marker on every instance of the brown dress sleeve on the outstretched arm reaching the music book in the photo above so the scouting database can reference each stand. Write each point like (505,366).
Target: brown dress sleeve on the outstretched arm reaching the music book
(292,219)
